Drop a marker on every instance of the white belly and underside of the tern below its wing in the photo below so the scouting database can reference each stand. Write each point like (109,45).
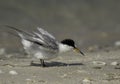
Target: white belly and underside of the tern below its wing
(37,51)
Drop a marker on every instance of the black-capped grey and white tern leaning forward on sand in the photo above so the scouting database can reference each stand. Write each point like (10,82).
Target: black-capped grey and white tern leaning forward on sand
(43,45)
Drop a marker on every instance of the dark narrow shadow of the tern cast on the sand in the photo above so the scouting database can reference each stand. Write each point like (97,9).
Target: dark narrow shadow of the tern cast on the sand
(56,64)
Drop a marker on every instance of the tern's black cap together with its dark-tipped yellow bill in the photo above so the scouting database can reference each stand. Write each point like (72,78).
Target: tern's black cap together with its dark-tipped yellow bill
(70,43)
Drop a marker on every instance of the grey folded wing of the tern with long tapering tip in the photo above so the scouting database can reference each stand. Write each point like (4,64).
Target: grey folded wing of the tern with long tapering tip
(41,38)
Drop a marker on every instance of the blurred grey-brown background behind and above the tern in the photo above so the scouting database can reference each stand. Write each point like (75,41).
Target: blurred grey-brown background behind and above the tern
(93,23)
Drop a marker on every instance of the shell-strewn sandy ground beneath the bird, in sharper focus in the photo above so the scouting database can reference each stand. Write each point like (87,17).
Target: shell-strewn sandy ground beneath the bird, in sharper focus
(71,68)
